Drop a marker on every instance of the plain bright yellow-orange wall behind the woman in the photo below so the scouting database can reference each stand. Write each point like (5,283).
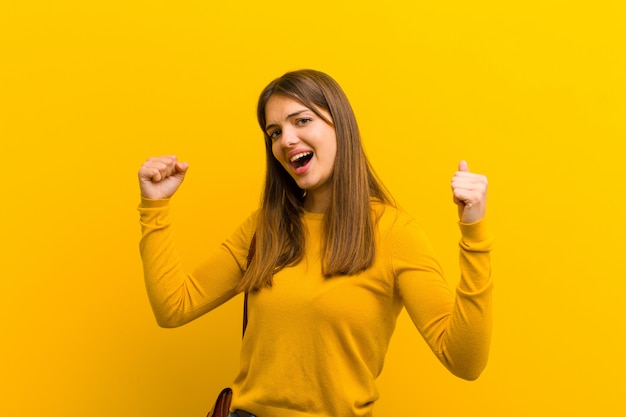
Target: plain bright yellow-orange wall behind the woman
(532,93)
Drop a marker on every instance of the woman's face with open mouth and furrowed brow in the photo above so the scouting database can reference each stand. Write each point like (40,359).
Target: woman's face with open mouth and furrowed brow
(303,143)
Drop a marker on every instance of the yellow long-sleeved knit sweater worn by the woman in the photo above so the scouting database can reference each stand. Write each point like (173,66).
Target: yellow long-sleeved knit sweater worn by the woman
(315,346)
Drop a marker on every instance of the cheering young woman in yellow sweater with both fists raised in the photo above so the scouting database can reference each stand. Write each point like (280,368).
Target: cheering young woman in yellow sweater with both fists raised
(335,262)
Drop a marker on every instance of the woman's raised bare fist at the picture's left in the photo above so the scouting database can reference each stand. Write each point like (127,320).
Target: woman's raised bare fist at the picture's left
(160,177)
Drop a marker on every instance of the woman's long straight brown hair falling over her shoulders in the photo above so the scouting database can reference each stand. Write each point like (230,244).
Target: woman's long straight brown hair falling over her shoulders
(348,245)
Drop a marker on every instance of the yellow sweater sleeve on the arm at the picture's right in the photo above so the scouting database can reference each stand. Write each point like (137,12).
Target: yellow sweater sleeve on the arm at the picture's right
(455,324)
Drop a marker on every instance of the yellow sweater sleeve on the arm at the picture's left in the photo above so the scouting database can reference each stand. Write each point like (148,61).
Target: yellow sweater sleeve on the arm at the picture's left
(177,296)
